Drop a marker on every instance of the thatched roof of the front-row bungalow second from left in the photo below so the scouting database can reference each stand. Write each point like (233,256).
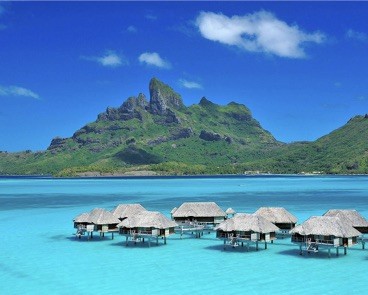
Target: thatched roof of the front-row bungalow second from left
(148,219)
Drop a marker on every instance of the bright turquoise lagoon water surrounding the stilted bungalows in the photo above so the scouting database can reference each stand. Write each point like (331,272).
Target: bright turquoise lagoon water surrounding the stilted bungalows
(40,255)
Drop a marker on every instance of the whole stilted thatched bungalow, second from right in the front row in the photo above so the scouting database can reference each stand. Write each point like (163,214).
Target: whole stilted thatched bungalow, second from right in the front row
(246,229)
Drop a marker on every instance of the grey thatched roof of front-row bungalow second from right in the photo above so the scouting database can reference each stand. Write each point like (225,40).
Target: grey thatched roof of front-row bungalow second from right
(247,222)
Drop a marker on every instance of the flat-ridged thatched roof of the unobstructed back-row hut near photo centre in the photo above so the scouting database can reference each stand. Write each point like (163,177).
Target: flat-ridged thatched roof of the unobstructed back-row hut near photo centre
(199,209)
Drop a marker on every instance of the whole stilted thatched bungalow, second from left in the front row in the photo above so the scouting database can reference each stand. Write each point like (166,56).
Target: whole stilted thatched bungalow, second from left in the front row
(146,225)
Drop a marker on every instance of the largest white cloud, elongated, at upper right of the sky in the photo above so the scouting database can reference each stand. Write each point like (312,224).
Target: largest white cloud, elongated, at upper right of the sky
(257,32)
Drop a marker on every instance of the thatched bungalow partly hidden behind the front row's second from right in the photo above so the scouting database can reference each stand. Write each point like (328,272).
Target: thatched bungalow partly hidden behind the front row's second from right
(280,217)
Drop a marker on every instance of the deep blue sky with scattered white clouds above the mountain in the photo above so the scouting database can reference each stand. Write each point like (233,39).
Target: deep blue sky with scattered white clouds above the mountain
(302,68)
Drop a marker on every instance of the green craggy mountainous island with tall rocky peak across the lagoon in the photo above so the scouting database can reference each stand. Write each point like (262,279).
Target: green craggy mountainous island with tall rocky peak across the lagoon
(162,136)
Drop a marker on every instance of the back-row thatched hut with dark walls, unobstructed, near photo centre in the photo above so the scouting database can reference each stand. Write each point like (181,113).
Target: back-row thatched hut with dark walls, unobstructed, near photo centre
(207,213)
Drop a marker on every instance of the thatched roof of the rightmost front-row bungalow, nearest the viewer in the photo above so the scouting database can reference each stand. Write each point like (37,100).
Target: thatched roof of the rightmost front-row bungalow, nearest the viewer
(326,226)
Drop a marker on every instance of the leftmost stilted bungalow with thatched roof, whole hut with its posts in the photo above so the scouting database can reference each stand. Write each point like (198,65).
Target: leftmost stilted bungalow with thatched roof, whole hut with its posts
(98,220)
